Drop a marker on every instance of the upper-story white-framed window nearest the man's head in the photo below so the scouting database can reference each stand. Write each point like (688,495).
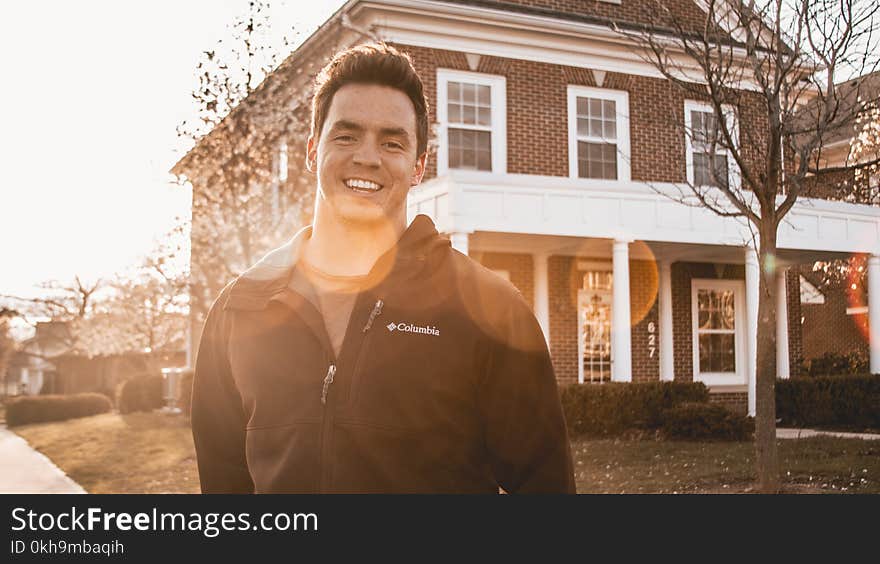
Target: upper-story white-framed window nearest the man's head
(471,109)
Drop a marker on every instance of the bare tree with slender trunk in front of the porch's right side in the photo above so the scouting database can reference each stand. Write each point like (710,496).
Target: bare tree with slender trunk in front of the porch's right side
(775,63)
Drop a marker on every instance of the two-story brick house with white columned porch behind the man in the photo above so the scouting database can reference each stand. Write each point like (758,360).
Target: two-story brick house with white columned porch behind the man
(553,139)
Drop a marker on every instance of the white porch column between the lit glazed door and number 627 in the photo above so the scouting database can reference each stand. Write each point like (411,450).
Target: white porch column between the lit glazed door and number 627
(621,337)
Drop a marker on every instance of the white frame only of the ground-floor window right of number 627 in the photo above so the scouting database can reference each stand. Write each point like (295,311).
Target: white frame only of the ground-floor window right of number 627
(739,303)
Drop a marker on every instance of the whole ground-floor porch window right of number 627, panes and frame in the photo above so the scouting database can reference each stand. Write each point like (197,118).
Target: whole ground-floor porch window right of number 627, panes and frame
(718,325)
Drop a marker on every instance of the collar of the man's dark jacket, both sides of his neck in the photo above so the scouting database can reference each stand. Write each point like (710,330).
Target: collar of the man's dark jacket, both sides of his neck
(269,276)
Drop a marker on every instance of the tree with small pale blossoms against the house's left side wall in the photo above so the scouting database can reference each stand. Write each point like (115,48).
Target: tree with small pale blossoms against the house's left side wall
(247,193)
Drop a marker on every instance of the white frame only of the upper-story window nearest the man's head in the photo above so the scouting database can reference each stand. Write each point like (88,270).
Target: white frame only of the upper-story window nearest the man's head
(498,89)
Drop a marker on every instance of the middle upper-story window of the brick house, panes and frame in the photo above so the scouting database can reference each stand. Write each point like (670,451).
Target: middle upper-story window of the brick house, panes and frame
(598,133)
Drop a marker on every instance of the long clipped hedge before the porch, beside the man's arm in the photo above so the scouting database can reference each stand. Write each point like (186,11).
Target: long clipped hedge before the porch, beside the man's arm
(609,409)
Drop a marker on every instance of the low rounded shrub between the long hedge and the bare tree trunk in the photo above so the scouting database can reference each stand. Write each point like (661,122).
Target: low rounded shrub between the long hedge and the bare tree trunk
(705,421)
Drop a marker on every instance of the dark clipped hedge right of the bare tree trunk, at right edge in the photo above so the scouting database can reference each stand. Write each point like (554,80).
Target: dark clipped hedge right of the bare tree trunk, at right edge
(829,401)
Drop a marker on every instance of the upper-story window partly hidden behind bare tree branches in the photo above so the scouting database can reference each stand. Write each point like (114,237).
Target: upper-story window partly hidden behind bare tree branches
(704,155)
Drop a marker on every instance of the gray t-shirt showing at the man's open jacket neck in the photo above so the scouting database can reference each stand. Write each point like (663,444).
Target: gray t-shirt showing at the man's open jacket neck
(333,296)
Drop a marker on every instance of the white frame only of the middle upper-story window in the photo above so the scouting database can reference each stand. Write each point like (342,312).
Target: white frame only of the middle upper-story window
(624,154)
